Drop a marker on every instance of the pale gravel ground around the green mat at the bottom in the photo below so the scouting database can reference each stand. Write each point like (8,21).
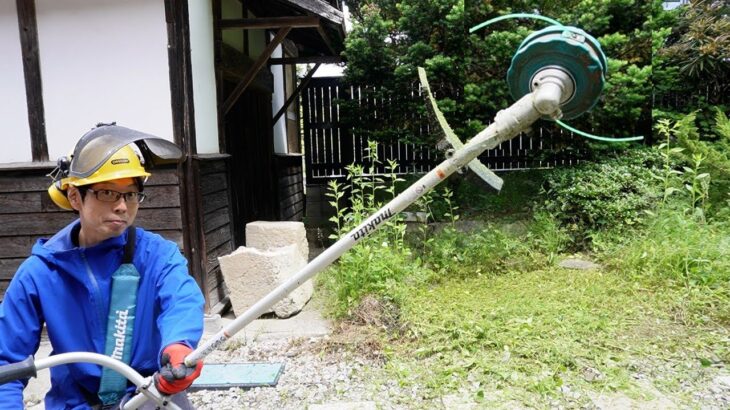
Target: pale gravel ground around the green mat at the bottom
(316,372)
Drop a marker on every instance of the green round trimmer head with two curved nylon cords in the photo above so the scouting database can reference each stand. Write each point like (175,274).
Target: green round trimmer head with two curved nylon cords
(562,50)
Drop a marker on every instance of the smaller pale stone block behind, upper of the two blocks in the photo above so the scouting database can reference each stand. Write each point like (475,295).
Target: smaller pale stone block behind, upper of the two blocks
(266,235)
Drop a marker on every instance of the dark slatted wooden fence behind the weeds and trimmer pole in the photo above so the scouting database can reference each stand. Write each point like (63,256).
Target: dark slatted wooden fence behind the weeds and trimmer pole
(331,145)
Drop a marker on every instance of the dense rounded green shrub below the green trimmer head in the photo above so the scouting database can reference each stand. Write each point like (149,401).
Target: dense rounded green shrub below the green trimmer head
(613,193)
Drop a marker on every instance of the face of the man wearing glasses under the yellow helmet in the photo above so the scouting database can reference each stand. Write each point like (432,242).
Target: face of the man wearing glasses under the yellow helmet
(103,220)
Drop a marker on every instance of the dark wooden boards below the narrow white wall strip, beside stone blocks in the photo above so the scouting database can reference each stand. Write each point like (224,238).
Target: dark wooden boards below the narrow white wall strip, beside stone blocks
(217,228)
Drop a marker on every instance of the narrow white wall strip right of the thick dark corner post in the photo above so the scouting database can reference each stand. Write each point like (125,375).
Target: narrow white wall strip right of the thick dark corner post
(203,64)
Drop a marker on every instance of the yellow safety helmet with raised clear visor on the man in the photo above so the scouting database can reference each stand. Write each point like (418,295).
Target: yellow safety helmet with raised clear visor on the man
(106,153)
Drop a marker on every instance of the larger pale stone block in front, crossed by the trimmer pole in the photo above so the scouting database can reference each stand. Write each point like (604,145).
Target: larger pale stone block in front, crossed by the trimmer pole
(250,274)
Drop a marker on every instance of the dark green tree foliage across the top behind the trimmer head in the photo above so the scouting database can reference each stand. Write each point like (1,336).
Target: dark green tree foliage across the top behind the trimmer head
(653,54)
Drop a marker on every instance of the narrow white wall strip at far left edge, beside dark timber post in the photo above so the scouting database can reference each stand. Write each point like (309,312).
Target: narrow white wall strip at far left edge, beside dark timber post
(13,106)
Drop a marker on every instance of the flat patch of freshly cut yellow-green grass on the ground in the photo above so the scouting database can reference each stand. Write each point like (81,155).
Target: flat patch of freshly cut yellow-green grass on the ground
(523,332)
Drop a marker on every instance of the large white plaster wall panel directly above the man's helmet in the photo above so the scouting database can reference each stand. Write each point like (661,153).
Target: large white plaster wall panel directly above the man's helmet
(103,60)
